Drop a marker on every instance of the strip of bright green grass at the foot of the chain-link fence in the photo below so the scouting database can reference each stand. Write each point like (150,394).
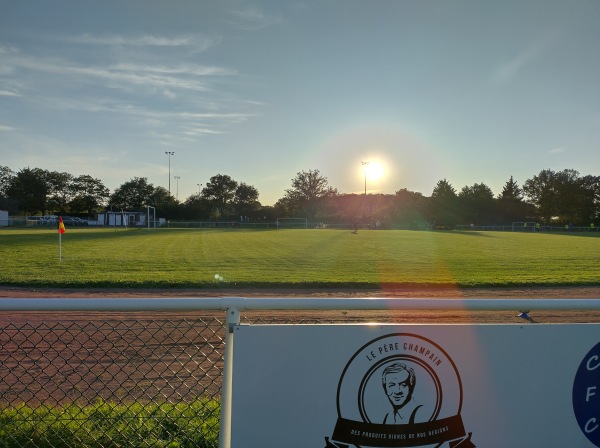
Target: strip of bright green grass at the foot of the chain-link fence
(107,425)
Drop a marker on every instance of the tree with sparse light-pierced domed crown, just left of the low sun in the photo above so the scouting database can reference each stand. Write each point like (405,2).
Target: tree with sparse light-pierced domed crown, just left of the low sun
(308,195)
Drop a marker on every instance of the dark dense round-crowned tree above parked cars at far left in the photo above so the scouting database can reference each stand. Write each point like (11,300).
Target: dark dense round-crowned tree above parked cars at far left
(28,188)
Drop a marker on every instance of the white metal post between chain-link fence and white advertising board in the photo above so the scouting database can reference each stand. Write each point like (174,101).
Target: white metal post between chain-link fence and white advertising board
(233,319)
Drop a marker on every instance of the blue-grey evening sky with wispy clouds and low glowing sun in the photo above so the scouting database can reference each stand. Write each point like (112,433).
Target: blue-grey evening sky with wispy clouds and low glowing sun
(470,91)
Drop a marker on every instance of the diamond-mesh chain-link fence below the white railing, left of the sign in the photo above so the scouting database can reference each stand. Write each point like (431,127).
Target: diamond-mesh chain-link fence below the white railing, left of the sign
(101,379)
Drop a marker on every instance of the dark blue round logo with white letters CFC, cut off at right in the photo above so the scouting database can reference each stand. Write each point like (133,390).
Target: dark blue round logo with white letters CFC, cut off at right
(586,395)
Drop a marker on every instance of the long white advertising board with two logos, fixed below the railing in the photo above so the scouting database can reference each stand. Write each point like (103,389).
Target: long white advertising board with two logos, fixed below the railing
(456,386)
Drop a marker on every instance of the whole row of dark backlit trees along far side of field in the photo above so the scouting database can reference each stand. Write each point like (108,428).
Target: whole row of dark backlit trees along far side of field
(550,197)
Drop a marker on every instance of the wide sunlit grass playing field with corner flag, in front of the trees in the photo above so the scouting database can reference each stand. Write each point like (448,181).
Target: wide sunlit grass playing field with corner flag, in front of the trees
(212,258)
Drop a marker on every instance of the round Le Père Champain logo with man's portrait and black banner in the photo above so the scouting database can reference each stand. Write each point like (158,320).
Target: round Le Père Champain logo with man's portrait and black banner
(399,390)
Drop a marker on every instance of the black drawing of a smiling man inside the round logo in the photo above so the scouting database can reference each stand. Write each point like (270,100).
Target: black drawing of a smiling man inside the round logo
(399,384)
